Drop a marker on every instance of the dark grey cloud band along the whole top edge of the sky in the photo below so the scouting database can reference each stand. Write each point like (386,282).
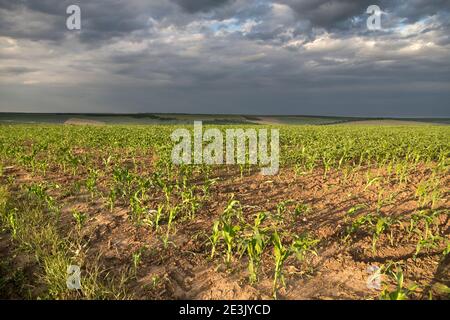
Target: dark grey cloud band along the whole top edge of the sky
(106,19)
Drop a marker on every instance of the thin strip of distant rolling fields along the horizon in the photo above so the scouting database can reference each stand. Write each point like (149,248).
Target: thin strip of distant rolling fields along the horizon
(99,119)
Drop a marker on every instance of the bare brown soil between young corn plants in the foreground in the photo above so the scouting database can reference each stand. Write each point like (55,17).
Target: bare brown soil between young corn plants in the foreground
(338,271)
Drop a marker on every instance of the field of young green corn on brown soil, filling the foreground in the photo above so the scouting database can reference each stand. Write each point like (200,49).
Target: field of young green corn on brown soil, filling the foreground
(351,202)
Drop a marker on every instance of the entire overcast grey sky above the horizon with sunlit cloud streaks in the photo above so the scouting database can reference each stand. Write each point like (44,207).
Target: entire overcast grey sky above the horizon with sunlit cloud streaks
(313,57)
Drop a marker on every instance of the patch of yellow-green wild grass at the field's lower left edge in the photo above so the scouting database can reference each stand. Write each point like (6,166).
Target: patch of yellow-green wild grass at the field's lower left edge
(35,232)
